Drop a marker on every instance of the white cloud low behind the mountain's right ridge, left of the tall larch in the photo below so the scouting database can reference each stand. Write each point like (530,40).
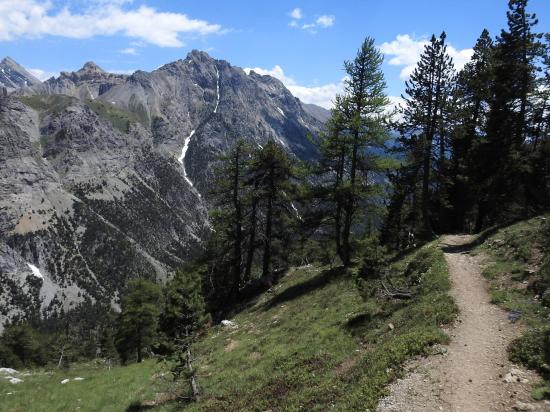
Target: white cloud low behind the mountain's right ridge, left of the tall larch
(320,95)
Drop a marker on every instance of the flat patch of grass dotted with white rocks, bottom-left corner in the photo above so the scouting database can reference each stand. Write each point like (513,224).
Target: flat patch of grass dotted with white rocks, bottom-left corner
(101,389)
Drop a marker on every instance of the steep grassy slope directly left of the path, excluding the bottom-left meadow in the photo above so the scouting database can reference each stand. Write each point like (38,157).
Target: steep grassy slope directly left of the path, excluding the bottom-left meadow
(312,344)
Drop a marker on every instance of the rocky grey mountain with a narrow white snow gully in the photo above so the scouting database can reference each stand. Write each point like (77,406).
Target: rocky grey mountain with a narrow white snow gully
(105,177)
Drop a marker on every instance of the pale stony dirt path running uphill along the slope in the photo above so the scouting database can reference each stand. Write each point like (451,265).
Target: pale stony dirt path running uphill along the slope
(469,375)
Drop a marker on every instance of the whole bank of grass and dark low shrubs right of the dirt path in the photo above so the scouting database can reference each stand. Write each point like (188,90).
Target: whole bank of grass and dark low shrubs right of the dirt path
(520,283)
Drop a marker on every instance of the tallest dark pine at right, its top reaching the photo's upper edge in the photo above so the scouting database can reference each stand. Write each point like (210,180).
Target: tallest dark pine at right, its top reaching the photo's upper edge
(517,53)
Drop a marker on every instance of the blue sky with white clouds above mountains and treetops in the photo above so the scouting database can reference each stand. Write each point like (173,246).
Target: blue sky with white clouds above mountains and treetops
(302,42)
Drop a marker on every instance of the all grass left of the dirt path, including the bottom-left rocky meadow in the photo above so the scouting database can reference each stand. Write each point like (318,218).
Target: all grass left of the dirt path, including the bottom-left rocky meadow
(309,344)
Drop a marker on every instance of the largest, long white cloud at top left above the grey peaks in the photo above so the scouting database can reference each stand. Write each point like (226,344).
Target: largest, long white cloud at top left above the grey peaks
(35,19)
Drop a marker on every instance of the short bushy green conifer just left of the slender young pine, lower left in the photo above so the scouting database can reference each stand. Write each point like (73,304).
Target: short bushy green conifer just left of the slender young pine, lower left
(138,319)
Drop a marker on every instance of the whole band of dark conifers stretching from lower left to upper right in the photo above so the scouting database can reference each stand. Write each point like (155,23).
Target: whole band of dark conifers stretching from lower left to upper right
(472,150)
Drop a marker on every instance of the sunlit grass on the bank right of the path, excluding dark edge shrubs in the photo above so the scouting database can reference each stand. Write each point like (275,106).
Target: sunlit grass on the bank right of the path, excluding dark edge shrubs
(516,252)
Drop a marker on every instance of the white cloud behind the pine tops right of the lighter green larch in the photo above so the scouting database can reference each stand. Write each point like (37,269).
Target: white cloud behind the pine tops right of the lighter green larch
(406,50)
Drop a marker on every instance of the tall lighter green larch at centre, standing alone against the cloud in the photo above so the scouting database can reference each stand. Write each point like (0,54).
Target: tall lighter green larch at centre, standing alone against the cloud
(349,163)
